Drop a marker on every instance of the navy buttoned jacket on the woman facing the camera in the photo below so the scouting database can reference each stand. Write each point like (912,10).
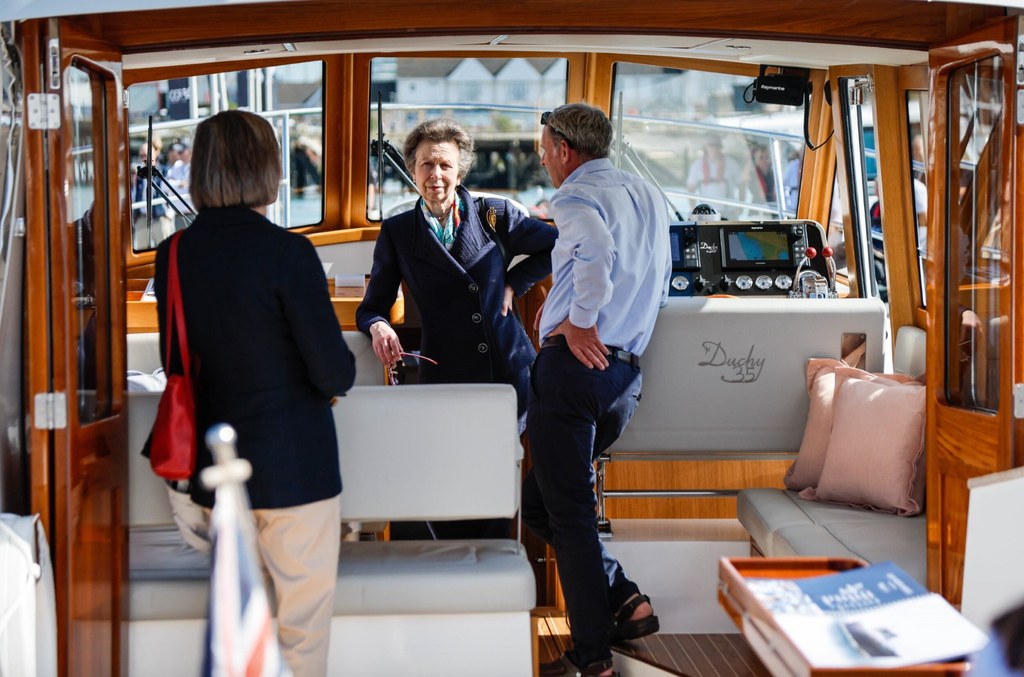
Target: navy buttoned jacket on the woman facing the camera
(460,293)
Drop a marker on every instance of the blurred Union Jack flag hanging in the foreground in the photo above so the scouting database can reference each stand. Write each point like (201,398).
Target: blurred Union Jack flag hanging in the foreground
(241,639)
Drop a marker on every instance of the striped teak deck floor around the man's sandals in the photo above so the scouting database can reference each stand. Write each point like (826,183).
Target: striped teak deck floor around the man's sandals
(687,656)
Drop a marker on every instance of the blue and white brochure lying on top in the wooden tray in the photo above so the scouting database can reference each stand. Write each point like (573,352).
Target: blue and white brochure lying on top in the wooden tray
(876,617)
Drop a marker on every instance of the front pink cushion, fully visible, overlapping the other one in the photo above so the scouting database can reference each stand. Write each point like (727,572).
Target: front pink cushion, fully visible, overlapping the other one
(877,448)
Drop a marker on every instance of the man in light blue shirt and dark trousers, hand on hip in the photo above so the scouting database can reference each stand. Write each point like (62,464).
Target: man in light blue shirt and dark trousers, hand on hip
(611,271)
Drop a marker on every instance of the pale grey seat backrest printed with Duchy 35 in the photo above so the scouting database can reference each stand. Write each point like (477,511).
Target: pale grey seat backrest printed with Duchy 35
(730,374)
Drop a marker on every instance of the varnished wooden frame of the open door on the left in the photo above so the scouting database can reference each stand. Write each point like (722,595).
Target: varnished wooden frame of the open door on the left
(78,472)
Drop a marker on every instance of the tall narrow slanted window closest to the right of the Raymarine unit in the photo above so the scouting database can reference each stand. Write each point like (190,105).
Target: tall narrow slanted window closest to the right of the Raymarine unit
(858,99)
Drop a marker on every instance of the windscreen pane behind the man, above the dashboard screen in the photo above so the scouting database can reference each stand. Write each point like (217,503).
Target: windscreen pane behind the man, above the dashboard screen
(702,139)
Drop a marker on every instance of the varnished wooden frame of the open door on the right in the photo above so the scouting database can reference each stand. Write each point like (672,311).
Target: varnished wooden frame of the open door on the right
(991,436)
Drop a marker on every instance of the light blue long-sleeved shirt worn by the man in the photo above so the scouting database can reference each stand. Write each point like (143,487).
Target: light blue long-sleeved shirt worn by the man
(612,263)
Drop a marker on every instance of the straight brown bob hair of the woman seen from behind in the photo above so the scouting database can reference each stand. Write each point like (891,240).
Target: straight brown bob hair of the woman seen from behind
(236,162)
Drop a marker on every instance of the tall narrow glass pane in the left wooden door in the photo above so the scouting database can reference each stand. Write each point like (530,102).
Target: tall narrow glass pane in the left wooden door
(89,211)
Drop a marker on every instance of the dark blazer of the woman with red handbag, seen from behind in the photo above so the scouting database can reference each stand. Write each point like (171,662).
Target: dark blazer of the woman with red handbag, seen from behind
(271,353)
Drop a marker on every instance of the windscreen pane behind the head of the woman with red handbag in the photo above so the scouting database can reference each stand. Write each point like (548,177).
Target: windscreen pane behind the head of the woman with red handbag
(291,97)
